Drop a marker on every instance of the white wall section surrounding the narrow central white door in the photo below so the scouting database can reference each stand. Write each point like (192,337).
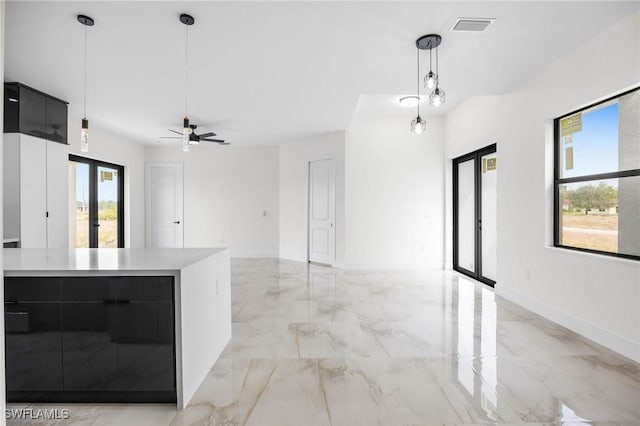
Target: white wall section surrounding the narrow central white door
(293,181)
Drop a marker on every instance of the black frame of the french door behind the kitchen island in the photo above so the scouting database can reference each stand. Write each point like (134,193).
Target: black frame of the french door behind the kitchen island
(93,197)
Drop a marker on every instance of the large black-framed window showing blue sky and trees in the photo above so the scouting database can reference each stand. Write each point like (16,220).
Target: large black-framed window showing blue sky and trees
(597,177)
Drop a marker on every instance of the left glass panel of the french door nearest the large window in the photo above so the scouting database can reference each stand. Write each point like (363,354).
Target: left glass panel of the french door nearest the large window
(466,215)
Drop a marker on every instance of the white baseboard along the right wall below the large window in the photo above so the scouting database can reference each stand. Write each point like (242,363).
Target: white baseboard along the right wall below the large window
(590,331)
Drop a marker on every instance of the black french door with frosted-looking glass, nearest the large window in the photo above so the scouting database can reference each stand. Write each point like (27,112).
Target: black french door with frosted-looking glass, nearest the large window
(474,214)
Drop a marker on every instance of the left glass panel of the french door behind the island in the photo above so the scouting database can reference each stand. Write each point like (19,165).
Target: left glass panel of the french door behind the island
(79,208)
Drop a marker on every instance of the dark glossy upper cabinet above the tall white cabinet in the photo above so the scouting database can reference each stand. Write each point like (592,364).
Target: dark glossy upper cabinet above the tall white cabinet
(32,112)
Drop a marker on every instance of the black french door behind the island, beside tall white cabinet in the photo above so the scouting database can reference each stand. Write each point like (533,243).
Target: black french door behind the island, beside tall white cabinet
(96,191)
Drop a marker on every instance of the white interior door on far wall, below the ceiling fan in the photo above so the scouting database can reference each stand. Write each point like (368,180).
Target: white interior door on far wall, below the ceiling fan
(164,191)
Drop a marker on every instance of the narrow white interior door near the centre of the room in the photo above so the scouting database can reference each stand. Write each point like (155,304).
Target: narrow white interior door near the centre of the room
(321,212)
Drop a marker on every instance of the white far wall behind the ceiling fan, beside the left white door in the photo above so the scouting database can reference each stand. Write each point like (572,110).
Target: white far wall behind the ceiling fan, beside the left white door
(226,191)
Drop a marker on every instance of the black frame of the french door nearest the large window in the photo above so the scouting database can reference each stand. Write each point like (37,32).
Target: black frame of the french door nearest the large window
(477,214)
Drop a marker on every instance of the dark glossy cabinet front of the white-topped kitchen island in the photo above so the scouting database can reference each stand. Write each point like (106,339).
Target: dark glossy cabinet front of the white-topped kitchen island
(115,340)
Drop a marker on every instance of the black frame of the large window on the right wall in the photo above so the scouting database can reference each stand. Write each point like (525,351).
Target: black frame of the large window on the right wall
(558,181)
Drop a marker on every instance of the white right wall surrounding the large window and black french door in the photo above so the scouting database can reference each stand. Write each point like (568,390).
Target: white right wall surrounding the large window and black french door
(596,296)
